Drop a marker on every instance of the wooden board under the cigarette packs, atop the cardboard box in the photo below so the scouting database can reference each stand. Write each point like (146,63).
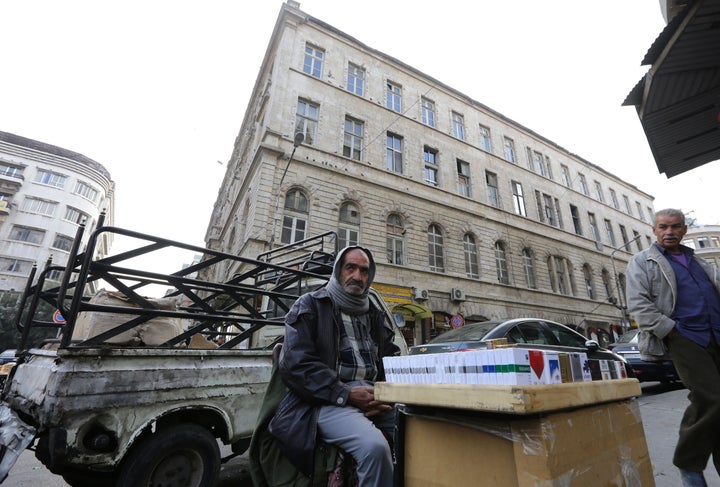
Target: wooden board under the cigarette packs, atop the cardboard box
(509,399)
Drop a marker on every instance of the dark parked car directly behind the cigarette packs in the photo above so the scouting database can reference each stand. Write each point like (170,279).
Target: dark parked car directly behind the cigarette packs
(525,332)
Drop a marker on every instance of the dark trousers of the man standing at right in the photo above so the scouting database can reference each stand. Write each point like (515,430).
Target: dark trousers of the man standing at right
(699,369)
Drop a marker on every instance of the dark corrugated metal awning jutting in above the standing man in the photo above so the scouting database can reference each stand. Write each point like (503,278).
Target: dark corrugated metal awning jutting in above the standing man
(678,100)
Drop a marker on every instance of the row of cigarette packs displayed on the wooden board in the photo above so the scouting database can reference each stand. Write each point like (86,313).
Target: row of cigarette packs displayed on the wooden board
(500,366)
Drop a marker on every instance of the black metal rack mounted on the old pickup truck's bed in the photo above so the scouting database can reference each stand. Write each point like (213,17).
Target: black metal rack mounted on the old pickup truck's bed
(270,282)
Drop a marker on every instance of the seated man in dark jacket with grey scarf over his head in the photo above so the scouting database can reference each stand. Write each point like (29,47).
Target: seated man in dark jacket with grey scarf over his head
(331,357)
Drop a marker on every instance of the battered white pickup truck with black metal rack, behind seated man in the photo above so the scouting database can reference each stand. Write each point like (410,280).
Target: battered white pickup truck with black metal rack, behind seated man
(138,390)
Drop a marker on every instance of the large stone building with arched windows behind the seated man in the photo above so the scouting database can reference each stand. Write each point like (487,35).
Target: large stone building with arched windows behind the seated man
(469,214)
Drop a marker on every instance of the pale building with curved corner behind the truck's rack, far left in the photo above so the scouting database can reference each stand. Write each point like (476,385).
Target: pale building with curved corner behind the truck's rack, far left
(45,193)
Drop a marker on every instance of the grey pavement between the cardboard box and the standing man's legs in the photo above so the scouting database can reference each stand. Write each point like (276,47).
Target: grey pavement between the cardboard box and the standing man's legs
(661,408)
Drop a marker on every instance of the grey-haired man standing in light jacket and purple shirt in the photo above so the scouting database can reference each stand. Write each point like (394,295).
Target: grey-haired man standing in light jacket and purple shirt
(673,296)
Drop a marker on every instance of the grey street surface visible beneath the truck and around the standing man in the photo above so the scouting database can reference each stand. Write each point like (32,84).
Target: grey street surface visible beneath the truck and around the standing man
(661,407)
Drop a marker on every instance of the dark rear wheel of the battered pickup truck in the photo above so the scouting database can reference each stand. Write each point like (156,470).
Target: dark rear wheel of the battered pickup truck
(181,455)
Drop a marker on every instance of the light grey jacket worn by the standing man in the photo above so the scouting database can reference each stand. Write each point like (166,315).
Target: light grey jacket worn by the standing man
(652,293)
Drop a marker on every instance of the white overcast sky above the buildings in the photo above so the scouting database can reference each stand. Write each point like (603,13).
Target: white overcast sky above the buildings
(156,90)
